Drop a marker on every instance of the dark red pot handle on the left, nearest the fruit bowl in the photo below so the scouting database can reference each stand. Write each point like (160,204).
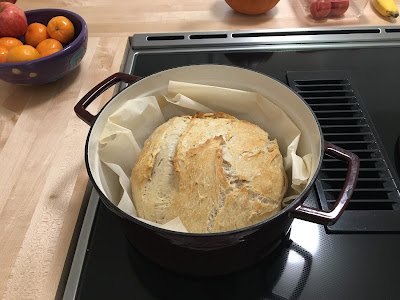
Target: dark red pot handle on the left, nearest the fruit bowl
(80,107)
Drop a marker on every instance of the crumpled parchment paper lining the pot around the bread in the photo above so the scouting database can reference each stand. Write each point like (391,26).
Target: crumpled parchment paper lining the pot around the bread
(129,126)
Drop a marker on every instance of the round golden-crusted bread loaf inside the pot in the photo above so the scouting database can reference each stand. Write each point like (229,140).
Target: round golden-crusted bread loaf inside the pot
(213,171)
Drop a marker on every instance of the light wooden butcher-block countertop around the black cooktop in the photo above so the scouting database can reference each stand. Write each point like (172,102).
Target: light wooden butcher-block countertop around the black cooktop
(43,176)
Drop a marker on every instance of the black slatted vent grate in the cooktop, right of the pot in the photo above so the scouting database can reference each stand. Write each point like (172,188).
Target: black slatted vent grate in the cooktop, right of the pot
(375,203)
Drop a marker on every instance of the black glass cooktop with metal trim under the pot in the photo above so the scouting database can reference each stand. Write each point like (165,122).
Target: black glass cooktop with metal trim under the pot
(350,79)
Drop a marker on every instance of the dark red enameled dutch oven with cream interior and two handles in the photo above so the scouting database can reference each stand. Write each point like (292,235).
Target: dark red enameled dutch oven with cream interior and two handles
(225,252)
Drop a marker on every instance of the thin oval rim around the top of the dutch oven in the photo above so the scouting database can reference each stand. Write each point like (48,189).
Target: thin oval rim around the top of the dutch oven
(109,204)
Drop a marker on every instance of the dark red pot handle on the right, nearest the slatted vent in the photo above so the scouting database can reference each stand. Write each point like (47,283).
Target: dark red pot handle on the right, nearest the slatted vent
(330,217)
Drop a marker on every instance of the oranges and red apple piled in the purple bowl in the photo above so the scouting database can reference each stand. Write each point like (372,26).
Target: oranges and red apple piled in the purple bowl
(40,39)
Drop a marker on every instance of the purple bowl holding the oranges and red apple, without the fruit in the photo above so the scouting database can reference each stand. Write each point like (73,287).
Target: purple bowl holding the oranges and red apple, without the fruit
(54,66)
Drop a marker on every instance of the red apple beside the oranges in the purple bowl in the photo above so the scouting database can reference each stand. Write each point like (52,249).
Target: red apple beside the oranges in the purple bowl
(13,21)
